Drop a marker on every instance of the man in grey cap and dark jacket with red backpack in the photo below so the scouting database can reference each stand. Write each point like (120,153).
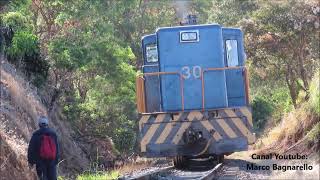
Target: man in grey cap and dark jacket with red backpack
(44,151)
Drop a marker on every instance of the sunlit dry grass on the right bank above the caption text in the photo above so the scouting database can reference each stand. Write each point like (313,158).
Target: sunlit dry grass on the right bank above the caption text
(296,124)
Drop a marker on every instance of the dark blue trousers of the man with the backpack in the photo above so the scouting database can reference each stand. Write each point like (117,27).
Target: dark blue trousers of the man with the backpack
(46,170)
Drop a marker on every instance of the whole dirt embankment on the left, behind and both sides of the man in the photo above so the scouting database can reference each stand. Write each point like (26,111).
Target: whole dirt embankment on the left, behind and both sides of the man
(19,109)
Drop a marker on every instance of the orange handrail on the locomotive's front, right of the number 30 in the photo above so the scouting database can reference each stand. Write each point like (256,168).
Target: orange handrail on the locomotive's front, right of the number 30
(222,69)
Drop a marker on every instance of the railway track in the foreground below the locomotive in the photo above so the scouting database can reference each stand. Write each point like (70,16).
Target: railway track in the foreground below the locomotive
(171,173)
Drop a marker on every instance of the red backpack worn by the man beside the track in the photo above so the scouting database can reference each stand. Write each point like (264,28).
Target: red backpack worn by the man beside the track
(47,148)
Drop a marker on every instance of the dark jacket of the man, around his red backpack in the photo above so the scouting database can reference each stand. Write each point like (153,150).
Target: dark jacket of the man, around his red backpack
(34,145)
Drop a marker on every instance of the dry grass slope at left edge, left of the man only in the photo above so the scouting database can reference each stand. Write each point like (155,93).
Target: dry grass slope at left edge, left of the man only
(19,109)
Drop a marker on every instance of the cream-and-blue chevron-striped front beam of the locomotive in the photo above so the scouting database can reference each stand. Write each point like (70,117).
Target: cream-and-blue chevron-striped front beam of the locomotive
(168,128)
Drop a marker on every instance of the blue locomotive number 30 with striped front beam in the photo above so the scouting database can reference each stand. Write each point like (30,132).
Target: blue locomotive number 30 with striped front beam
(193,93)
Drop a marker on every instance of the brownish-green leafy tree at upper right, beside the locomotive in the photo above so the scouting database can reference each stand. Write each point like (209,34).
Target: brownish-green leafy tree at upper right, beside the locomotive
(281,43)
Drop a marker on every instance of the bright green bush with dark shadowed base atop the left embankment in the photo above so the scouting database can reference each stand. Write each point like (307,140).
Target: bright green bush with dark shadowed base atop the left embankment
(23,48)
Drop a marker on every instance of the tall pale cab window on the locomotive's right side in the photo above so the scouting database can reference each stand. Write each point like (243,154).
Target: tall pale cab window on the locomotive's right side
(232,53)
